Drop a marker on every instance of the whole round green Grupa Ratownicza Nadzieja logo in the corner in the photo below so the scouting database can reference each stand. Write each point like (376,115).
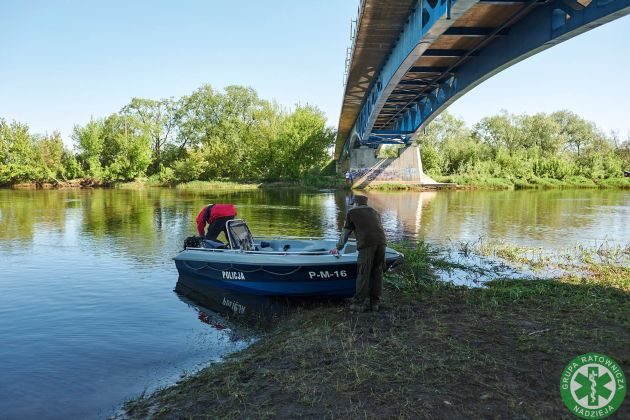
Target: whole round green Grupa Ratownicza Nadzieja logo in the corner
(592,386)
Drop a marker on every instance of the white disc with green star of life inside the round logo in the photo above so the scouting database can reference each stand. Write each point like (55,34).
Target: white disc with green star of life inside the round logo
(592,386)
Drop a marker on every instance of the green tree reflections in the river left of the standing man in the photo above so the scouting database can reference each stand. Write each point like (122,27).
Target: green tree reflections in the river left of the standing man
(151,223)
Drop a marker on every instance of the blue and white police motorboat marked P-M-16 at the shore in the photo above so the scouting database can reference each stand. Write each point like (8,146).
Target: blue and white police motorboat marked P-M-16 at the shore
(271,266)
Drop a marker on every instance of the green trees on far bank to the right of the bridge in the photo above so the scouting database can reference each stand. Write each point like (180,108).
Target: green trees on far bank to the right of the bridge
(523,147)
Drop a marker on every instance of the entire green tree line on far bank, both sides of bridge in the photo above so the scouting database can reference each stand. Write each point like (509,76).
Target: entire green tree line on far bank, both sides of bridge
(235,135)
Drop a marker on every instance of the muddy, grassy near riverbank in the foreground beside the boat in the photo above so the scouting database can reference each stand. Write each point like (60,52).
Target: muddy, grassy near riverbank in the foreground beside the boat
(435,350)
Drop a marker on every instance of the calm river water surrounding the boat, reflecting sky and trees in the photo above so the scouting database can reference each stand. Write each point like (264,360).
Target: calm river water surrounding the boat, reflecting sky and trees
(88,316)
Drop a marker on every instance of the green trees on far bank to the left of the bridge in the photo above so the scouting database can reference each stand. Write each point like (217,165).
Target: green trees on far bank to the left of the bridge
(208,135)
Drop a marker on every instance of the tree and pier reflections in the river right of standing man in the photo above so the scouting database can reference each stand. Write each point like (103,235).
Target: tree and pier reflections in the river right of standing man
(466,215)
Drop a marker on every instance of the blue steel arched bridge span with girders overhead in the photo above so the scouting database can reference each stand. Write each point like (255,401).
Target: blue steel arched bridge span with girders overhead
(447,47)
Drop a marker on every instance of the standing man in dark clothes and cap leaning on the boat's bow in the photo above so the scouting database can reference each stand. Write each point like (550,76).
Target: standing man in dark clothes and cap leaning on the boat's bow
(365,222)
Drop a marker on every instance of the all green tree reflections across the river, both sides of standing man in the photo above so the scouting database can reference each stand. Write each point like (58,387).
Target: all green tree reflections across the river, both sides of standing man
(152,223)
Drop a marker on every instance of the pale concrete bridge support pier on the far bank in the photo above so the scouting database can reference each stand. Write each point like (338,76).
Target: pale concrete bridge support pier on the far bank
(405,169)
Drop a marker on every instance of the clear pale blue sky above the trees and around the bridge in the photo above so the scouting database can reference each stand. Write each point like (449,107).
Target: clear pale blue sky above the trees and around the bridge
(65,61)
